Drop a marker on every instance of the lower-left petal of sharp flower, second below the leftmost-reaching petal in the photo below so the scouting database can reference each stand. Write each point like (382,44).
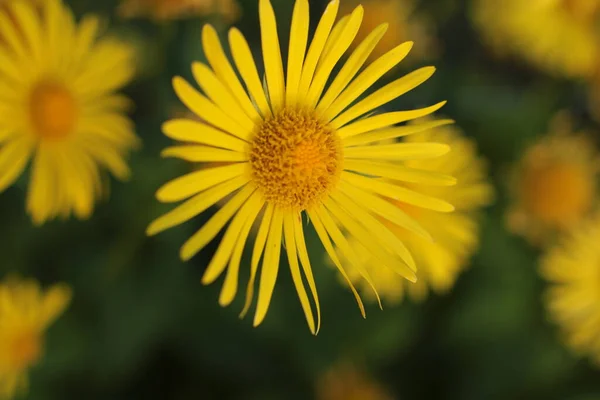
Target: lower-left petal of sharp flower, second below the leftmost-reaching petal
(219,261)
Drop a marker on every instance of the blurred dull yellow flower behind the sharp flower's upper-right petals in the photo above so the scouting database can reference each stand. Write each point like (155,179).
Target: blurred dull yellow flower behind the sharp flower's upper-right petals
(404,25)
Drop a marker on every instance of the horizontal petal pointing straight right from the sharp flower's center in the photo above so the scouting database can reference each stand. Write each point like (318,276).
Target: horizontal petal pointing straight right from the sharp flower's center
(398,151)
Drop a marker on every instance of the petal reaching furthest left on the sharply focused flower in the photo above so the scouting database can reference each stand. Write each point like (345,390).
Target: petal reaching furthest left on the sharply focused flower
(196,205)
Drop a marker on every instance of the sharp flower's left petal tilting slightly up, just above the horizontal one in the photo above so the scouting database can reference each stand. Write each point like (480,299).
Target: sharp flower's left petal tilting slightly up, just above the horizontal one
(186,130)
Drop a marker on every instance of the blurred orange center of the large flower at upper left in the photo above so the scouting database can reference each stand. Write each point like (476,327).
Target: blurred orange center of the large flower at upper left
(53,110)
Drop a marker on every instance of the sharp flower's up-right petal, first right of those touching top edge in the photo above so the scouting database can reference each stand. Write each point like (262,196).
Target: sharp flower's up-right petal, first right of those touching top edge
(347,35)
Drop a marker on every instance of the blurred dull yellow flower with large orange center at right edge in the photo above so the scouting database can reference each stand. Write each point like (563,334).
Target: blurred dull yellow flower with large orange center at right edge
(554,184)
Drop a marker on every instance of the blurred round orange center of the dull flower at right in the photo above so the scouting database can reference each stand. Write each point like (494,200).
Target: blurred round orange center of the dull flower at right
(558,194)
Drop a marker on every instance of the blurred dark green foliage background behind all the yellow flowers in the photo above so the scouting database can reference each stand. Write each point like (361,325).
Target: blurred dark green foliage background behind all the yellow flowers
(141,326)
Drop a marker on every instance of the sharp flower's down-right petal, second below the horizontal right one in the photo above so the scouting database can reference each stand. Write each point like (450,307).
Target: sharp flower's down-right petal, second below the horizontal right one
(396,192)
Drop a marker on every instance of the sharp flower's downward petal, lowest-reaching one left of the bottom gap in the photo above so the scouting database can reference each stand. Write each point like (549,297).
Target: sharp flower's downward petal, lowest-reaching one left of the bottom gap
(270,268)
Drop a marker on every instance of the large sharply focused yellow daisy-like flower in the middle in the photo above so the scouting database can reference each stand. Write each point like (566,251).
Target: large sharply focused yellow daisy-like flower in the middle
(299,148)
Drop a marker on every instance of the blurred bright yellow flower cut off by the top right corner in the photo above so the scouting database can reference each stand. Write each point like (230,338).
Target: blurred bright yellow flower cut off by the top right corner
(559,36)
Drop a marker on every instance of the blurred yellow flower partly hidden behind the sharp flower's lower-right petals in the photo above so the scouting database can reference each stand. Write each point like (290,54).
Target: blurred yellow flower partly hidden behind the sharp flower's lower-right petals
(456,235)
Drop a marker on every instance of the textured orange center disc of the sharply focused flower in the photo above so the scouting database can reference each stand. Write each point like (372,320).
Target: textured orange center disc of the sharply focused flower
(295,159)
